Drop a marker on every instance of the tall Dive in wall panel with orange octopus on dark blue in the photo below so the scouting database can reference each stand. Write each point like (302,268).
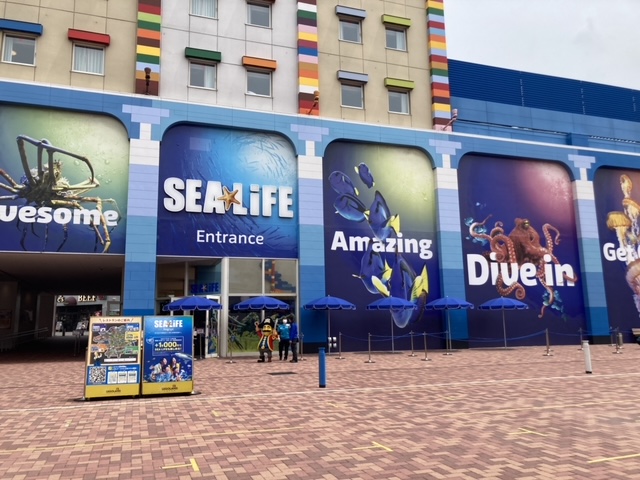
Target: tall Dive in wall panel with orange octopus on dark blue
(519,240)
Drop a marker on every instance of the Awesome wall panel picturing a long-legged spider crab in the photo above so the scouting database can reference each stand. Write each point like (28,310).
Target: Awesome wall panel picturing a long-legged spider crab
(64,182)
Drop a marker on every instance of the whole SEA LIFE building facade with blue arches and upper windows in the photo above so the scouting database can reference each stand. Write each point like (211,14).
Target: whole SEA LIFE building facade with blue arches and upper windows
(234,149)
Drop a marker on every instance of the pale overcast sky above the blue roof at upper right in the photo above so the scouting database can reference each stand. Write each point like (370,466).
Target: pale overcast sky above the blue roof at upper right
(592,40)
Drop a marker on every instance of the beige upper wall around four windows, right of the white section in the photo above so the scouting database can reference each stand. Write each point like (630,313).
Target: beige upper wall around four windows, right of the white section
(374,59)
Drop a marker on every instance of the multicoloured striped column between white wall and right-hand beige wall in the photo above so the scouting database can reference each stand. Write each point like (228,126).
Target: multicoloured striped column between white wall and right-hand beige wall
(308,57)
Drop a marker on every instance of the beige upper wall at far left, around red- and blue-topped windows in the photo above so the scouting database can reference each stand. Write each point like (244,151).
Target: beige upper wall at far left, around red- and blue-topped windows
(116,18)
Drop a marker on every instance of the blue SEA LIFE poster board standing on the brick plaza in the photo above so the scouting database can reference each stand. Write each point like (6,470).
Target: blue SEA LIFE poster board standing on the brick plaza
(168,355)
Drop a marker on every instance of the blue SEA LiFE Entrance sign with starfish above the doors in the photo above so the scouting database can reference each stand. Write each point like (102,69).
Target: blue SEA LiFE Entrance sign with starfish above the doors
(227,193)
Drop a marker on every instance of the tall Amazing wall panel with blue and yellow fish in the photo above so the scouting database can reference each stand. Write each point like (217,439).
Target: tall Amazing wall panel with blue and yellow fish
(380,240)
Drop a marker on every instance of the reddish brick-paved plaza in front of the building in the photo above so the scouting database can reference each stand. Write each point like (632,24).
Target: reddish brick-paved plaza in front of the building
(475,414)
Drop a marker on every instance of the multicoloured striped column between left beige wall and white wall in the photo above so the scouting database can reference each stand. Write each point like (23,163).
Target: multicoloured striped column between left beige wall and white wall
(148,47)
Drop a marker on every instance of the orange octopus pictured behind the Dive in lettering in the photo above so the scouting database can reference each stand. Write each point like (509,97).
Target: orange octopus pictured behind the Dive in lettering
(522,245)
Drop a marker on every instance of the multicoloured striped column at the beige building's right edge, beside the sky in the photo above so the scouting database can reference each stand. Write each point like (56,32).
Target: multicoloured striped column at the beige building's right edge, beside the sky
(438,65)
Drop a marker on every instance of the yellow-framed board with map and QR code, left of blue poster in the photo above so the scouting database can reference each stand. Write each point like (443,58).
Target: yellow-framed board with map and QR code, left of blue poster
(113,357)
